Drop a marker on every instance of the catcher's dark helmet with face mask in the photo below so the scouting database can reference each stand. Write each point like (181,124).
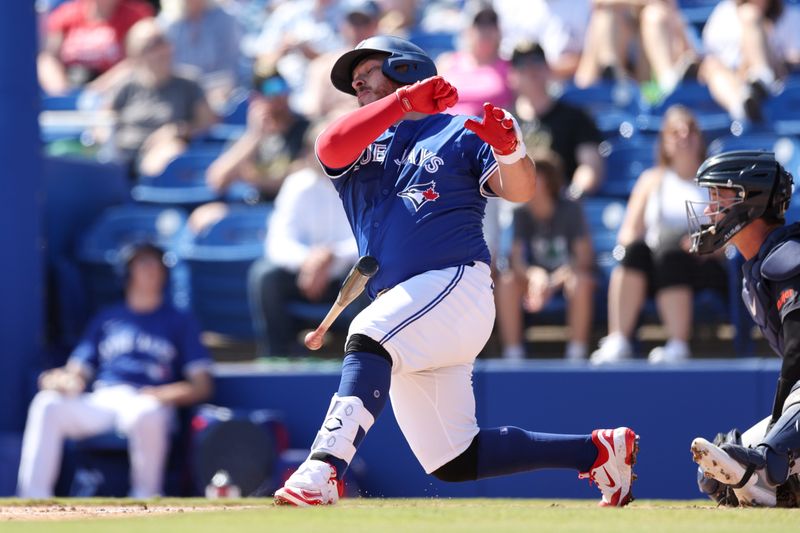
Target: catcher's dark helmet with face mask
(763,189)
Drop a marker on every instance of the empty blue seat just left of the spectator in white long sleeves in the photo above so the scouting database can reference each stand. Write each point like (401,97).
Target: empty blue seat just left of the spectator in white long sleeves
(218,260)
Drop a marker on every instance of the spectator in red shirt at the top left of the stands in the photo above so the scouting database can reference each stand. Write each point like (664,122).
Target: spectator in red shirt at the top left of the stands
(85,39)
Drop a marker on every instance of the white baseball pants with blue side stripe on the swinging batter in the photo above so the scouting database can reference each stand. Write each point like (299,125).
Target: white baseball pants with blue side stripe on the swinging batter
(434,325)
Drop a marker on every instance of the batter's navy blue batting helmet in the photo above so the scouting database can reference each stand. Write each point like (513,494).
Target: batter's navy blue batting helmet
(405,62)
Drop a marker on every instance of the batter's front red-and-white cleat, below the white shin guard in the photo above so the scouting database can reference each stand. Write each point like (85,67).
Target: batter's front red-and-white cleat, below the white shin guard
(314,483)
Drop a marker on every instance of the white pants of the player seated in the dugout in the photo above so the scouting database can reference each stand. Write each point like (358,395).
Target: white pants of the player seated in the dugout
(54,417)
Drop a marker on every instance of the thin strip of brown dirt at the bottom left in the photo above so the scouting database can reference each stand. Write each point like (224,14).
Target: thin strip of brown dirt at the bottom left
(75,512)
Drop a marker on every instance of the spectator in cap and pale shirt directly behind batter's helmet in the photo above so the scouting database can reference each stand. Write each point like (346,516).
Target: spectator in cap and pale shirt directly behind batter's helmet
(320,98)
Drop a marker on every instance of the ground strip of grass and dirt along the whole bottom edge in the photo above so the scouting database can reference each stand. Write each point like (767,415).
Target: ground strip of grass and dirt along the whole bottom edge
(374,515)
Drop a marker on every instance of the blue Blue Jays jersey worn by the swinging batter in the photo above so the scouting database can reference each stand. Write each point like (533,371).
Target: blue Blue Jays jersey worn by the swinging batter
(416,198)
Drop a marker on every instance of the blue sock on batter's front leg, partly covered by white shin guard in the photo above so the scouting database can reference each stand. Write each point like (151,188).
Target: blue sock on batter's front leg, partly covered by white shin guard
(366,376)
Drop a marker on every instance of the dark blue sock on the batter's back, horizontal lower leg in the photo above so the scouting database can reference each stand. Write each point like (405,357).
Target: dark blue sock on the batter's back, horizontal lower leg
(508,449)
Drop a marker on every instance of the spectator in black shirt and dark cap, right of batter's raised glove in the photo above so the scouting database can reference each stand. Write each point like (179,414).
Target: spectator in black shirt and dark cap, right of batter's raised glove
(553,124)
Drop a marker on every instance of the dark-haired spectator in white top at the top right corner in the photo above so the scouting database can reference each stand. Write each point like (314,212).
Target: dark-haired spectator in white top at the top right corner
(749,45)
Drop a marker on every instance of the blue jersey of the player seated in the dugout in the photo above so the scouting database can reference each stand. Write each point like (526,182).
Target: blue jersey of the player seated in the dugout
(141,349)
